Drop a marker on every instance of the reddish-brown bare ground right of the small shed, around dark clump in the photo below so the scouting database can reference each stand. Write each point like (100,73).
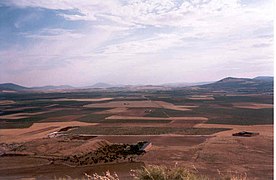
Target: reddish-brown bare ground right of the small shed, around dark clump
(223,153)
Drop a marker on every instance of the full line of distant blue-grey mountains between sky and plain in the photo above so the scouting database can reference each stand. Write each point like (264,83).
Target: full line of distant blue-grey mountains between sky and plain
(260,84)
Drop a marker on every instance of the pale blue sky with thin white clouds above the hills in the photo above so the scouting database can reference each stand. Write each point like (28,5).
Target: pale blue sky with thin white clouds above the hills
(82,42)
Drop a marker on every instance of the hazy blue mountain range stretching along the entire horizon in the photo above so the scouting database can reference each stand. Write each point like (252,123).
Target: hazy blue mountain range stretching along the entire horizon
(228,83)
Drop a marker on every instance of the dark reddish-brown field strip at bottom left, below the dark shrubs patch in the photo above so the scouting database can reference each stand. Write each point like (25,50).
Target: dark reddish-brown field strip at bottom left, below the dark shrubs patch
(45,170)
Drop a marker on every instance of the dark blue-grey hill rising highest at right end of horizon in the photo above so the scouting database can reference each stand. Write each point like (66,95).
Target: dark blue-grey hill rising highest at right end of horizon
(262,84)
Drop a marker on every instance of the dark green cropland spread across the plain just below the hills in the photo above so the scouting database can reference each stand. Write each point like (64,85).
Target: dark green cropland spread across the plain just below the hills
(218,111)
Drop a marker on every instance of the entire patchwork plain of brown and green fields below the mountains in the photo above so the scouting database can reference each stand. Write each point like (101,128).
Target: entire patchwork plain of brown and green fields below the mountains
(62,132)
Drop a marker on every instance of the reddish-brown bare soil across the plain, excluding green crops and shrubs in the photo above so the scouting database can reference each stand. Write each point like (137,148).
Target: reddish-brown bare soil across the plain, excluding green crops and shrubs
(210,154)
